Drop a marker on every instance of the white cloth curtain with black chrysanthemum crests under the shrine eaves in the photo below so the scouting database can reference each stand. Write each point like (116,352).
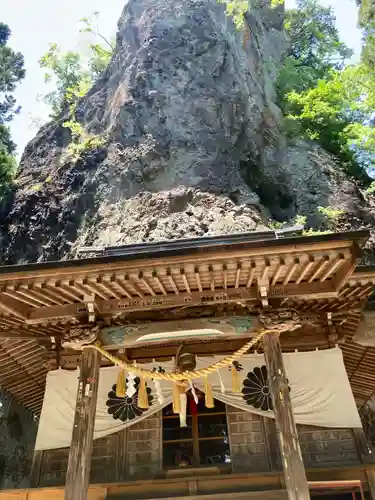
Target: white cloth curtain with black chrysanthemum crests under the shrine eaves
(319,388)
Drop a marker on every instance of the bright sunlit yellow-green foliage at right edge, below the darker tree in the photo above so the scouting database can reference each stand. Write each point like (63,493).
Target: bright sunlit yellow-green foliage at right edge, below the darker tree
(333,112)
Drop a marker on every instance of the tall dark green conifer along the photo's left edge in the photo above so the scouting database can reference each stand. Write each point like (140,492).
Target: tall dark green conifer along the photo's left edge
(11,72)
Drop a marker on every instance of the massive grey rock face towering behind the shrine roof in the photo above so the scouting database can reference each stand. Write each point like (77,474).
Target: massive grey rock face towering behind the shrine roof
(194,145)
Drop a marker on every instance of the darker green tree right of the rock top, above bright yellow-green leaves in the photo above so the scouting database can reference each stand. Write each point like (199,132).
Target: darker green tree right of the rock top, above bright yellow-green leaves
(314,48)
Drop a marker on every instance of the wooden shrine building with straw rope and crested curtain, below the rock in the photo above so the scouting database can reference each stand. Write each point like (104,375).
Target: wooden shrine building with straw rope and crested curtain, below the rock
(216,368)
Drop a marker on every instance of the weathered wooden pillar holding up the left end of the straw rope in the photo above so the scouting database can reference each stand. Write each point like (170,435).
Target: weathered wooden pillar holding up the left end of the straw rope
(78,473)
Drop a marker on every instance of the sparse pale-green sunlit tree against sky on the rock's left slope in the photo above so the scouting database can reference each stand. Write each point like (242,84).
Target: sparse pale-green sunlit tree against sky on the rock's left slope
(73,73)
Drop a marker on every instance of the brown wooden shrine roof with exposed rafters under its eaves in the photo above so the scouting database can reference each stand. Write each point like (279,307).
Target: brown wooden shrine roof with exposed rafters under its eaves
(313,275)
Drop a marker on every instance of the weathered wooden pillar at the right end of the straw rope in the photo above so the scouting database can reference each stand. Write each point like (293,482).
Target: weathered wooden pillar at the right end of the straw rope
(290,451)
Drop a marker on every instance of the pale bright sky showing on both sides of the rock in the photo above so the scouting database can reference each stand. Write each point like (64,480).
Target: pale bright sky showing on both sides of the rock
(35,23)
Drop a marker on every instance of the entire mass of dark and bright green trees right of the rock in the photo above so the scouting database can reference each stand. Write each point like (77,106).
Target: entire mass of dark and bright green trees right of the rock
(320,97)
